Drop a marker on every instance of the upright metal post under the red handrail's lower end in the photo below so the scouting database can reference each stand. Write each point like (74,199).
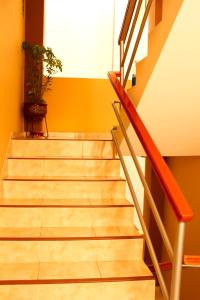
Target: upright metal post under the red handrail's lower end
(177,264)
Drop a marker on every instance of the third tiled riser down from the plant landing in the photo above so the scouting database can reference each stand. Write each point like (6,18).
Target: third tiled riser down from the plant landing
(64,189)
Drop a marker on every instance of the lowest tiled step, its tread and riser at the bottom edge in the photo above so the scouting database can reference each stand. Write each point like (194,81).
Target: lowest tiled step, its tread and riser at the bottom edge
(103,280)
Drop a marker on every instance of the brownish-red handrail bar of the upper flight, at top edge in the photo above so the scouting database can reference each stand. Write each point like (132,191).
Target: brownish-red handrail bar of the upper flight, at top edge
(127,20)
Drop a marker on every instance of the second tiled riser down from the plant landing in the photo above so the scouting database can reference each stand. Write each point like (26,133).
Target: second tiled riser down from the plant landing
(39,167)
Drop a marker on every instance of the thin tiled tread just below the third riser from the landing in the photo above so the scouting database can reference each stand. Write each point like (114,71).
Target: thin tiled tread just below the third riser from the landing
(63,202)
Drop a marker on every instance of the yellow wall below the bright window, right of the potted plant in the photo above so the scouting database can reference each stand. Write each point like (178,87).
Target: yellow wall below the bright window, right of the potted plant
(80,104)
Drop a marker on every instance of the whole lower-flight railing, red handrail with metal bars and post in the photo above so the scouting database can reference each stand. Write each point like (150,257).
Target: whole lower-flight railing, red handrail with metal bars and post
(174,195)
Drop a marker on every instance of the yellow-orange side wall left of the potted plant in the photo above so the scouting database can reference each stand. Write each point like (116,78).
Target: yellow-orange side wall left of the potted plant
(11,57)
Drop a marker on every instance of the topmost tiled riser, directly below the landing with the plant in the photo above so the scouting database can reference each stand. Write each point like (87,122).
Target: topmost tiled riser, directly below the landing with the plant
(48,148)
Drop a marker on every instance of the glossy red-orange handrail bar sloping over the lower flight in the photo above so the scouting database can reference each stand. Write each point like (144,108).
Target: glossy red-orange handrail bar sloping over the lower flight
(175,196)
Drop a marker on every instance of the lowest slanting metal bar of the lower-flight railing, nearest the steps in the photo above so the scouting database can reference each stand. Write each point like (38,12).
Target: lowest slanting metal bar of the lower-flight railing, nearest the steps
(142,222)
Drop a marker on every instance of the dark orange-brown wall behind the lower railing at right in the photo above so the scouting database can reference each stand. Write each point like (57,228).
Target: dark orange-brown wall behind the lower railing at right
(187,173)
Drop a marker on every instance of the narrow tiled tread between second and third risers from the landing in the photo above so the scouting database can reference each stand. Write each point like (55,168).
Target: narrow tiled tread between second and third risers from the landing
(64,178)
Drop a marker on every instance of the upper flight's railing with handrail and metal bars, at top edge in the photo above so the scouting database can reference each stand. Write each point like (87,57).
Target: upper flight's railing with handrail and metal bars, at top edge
(126,34)
